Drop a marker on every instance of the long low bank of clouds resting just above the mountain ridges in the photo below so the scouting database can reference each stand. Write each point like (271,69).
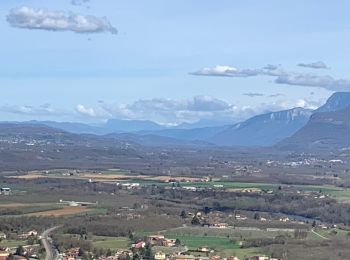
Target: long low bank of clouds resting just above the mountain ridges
(173,111)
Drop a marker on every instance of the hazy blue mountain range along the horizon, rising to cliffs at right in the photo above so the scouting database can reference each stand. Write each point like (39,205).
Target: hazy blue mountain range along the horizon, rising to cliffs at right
(288,129)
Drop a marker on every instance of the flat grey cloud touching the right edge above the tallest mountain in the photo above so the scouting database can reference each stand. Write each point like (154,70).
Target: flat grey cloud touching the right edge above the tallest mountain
(310,80)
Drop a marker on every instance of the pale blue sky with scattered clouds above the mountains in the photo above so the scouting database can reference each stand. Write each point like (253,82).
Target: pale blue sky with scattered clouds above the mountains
(169,61)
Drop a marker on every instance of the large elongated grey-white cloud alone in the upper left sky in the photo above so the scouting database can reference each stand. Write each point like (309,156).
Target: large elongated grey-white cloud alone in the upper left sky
(42,19)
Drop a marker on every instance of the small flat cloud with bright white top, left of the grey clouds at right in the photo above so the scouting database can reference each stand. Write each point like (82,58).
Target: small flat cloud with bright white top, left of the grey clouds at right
(226,71)
